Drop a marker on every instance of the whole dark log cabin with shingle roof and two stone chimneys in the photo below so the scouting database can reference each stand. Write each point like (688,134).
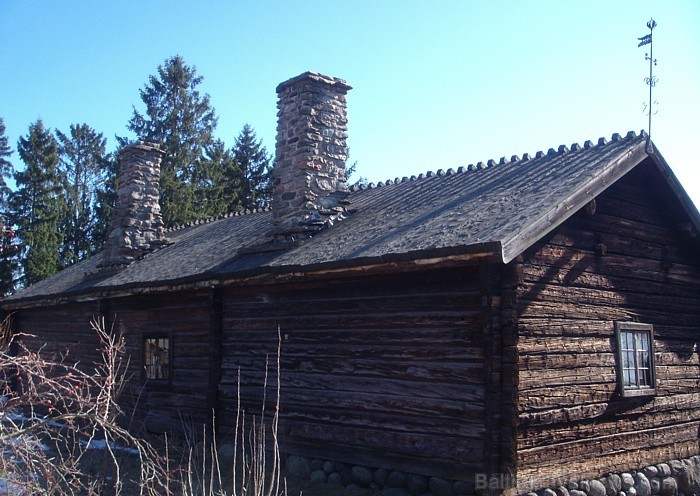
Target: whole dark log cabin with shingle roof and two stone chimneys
(536,316)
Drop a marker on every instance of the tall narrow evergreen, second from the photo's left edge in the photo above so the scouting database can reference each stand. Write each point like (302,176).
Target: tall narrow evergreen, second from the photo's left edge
(38,204)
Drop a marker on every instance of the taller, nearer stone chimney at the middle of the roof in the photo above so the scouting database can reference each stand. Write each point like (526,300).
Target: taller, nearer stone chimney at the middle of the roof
(309,175)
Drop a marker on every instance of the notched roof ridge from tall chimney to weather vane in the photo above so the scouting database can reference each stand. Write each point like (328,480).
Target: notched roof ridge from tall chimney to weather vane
(561,150)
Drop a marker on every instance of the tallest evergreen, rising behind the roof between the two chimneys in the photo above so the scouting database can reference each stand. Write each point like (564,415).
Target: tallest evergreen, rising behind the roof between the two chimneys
(183,121)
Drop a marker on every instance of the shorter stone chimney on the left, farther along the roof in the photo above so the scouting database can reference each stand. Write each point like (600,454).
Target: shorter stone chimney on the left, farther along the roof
(136,226)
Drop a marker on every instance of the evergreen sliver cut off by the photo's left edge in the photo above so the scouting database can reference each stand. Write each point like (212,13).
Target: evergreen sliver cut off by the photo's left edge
(7,258)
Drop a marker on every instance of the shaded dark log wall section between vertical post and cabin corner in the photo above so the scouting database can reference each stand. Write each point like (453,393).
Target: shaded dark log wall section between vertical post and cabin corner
(383,371)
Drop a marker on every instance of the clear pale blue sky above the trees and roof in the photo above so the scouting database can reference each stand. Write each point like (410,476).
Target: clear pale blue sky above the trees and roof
(437,84)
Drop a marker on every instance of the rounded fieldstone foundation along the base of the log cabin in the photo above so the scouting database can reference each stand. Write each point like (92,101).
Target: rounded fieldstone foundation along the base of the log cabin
(674,478)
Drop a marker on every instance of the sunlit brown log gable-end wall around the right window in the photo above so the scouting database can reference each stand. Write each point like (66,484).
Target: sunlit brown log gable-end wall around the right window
(572,422)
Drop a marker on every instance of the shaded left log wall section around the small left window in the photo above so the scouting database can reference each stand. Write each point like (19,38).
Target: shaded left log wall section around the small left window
(65,331)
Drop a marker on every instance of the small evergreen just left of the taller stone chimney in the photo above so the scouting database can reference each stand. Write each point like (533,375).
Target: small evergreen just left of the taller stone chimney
(254,163)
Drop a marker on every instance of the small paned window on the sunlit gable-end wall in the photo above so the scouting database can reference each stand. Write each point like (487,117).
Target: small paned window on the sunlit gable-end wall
(635,345)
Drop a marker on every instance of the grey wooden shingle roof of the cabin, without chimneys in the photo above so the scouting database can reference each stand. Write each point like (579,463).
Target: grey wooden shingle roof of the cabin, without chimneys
(497,209)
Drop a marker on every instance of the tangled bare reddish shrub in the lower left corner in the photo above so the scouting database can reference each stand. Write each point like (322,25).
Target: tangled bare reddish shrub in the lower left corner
(54,415)
